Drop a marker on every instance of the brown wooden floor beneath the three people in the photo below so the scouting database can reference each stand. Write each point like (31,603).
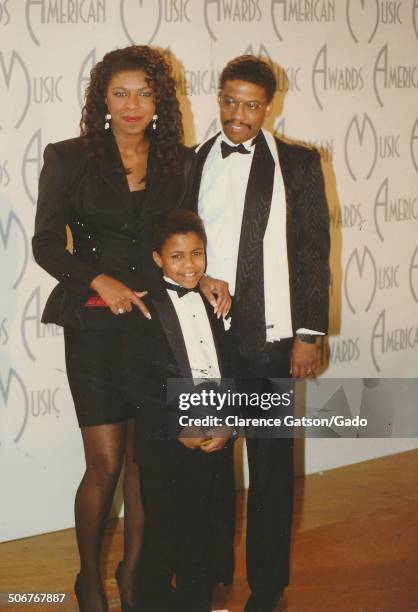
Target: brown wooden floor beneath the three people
(355,546)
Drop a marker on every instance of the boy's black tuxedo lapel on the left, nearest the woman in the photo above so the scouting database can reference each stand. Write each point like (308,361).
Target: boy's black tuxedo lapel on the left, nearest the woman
(171,326)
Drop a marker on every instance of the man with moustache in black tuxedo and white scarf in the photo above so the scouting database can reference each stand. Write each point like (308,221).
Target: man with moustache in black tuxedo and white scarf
(263,204)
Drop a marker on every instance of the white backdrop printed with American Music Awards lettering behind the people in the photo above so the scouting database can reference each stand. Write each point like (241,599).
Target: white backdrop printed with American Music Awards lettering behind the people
(348,77)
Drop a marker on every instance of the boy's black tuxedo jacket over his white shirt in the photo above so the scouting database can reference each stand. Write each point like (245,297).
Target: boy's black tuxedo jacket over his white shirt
(156,353)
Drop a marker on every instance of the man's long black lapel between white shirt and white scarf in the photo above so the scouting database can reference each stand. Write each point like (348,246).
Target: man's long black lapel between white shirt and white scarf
(249,308)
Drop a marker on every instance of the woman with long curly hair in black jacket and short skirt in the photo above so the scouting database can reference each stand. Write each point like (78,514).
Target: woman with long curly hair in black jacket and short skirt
(107,186)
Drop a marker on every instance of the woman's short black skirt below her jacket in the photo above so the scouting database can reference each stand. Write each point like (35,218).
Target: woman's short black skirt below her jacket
(94,360)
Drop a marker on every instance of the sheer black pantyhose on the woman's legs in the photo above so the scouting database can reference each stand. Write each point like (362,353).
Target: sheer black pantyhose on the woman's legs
(105,448)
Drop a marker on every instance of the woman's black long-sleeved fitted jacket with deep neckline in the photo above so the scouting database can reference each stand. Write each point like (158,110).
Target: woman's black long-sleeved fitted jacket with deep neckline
(96,204)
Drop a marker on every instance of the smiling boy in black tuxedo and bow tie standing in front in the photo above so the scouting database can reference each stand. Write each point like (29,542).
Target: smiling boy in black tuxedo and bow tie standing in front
(180,463)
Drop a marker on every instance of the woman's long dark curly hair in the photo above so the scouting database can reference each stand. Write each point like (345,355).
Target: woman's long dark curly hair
(166,141)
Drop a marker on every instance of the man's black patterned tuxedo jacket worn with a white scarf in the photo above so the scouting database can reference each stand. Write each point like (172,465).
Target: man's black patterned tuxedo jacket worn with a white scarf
(307,223)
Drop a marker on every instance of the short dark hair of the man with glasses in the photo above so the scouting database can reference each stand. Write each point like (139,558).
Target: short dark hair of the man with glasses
(252,69)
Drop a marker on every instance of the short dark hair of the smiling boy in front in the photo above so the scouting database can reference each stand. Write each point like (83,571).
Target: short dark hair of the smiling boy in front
(176,222)
